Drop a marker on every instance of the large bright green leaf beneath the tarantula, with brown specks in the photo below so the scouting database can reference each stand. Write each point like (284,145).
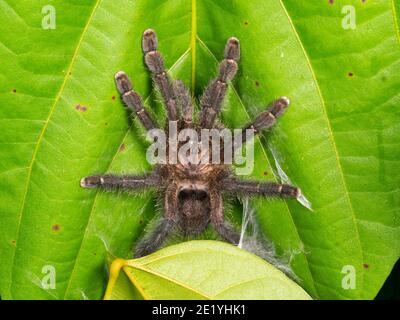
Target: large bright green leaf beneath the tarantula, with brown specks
(339,141)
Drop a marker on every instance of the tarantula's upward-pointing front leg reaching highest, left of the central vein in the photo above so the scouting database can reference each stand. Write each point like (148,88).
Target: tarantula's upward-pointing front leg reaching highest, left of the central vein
(155,63)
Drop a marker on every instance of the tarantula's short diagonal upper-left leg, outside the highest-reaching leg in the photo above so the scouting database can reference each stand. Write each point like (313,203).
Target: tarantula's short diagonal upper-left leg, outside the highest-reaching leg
(133,100)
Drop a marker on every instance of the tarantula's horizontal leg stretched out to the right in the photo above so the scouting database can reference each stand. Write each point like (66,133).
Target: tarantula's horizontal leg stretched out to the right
(266,189)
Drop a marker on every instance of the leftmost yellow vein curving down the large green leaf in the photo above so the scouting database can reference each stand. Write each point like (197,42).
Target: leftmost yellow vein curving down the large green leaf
(42,134)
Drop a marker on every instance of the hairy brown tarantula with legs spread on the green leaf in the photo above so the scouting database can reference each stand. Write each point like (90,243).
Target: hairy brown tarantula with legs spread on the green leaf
(191,193)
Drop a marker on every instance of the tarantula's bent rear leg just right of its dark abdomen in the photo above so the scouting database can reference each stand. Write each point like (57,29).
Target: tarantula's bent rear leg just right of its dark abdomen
(223,228)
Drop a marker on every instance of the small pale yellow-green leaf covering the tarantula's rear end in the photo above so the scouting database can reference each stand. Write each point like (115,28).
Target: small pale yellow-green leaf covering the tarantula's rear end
(200,270)
